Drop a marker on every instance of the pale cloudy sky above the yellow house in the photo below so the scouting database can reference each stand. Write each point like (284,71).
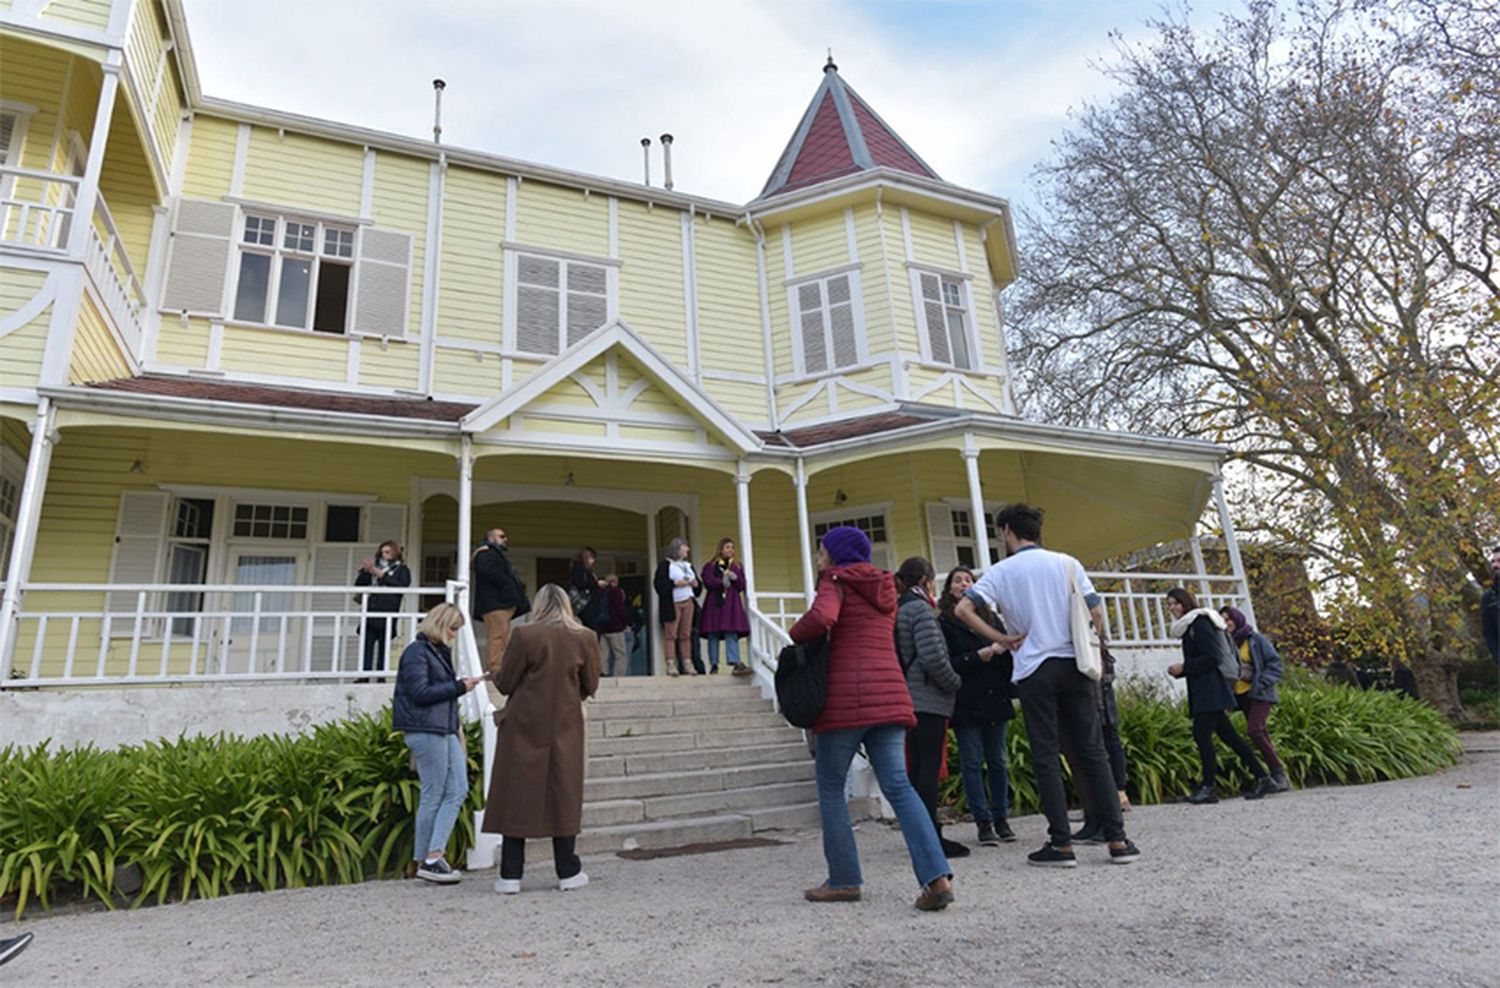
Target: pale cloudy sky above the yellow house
(977,88)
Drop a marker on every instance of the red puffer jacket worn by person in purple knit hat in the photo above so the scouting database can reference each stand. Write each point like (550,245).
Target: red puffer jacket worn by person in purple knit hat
(866,686)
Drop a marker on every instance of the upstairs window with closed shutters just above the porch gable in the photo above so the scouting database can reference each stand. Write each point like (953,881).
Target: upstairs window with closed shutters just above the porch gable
(559,302)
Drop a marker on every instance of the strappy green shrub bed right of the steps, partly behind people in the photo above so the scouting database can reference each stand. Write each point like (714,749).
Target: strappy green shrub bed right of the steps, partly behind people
(1324,734)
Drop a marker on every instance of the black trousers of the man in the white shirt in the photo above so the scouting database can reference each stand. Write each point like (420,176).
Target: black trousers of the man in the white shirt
(1060,702)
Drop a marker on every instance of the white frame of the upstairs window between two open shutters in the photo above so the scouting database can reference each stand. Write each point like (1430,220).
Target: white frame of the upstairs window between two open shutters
(278,253)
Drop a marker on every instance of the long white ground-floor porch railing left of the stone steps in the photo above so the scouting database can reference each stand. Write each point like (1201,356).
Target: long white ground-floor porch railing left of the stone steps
(71,635)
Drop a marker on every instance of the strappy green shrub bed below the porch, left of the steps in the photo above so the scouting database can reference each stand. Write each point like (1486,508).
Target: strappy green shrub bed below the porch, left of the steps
(212,816)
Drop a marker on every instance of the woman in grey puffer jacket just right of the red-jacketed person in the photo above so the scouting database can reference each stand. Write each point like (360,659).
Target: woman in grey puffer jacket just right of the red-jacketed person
(932,683)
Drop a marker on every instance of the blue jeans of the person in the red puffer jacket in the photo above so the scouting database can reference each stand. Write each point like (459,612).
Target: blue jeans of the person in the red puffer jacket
(886,746)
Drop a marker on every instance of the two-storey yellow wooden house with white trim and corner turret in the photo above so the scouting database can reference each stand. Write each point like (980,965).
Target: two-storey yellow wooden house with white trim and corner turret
(242,347)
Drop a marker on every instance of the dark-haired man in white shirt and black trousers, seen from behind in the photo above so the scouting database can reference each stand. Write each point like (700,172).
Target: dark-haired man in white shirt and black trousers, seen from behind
(1031,591)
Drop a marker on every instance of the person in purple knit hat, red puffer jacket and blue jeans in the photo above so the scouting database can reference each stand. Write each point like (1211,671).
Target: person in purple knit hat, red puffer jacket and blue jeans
(869,707)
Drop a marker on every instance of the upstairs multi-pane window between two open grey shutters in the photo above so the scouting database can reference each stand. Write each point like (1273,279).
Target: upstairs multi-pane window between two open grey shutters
(295,274)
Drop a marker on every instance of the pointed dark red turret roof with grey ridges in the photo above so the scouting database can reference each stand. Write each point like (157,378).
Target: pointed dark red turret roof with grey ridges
(841,136)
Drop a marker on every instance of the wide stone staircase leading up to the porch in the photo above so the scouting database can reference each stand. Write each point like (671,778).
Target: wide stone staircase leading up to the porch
(691,761)
